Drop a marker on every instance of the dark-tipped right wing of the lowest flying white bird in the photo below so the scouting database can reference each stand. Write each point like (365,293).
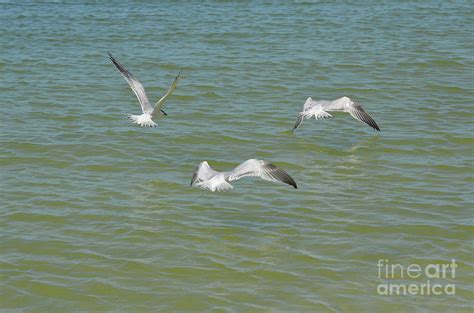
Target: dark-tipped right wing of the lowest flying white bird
(263,169)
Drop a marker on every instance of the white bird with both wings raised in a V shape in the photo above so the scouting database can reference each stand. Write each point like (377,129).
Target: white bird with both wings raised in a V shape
(145,119)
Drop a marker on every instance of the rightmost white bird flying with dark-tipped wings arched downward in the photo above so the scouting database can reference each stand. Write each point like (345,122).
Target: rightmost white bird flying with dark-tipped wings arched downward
(320,109)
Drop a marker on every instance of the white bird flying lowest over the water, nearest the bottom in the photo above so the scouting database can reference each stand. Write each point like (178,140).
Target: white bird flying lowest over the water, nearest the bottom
(207,178)
